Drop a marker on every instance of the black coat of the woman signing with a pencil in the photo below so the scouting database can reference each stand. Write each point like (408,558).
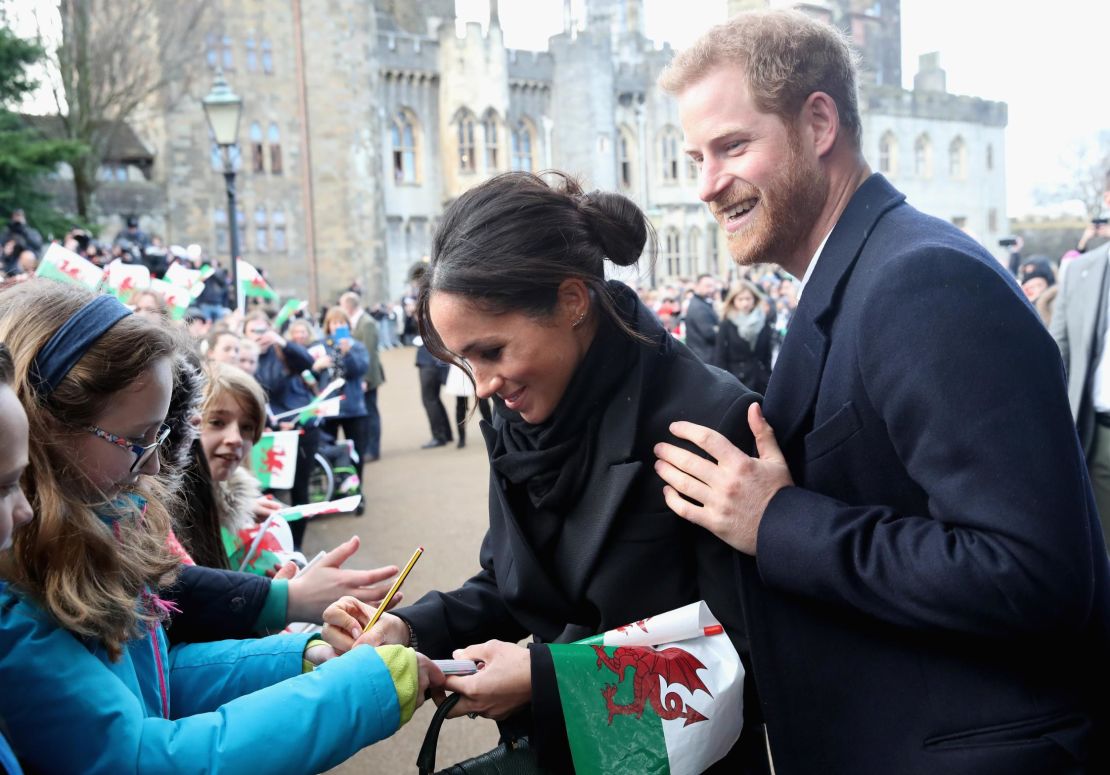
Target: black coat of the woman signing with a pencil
(625,556)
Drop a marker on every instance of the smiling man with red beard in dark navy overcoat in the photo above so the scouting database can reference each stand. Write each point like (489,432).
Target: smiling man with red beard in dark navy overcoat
(924,576)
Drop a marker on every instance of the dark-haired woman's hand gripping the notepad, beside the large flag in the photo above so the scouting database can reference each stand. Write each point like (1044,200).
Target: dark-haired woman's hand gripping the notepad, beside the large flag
(500,688)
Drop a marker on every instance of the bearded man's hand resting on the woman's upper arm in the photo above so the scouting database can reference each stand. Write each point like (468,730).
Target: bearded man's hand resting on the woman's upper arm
(734,492)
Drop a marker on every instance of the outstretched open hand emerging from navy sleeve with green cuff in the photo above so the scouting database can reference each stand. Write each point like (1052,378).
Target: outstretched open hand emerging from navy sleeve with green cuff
(311,592)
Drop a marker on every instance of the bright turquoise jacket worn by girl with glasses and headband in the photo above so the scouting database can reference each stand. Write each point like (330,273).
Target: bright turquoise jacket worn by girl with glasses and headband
(68,711)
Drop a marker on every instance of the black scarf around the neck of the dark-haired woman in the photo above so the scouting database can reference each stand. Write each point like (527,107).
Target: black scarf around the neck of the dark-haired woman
(544,467)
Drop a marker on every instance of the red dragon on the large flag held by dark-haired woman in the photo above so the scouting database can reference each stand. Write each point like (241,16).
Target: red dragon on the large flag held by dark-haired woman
(673,666)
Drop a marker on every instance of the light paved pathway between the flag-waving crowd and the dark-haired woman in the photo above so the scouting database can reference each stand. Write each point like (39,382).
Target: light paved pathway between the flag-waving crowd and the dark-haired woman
(430,498)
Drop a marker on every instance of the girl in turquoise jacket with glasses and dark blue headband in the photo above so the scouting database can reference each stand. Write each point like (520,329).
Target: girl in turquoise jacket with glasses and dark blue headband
(84,657)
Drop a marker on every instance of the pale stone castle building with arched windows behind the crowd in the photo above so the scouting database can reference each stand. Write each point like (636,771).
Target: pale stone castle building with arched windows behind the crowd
(362,120)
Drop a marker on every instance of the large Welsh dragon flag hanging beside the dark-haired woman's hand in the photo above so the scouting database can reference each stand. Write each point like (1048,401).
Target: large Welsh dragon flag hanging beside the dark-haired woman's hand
(663,696)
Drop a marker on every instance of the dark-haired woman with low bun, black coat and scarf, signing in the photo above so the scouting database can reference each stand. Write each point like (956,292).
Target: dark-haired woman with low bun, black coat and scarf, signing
(584,384)
